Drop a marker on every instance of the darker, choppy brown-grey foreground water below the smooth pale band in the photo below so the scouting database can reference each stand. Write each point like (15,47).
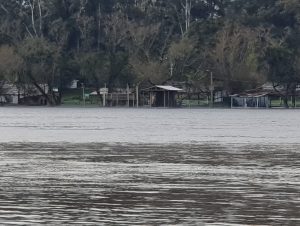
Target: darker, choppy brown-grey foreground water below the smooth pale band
(88,184)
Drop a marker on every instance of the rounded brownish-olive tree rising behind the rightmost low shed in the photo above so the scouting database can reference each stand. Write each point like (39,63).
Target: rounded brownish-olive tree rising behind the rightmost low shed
(235,58)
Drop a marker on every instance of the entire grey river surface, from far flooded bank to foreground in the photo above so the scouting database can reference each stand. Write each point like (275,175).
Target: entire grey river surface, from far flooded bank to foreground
(63,166)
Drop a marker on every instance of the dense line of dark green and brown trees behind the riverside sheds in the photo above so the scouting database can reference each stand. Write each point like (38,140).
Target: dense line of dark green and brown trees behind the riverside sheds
(244,43)
